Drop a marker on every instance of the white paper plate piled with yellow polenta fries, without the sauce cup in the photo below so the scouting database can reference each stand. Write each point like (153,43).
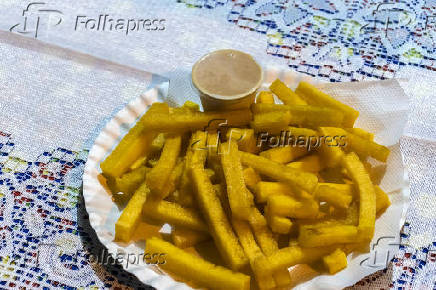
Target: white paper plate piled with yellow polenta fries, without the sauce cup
(294,192)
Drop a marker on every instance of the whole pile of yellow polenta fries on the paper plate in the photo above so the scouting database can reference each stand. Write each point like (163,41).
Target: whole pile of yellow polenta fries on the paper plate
(270,188)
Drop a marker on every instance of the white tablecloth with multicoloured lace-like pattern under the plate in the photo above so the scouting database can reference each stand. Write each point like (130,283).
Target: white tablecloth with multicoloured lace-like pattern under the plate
(66,69)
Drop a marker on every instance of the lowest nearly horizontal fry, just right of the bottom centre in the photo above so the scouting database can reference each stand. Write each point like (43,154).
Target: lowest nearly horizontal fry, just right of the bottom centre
(291,256)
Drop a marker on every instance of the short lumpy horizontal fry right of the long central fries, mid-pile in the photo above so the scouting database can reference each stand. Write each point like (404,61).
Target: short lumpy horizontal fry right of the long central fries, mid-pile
(284,205)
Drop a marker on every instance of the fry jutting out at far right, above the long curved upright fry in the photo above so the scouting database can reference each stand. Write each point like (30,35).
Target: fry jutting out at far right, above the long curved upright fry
(361,146)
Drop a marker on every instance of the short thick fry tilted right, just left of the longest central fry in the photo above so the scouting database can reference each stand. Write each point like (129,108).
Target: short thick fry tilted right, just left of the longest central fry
(158,176)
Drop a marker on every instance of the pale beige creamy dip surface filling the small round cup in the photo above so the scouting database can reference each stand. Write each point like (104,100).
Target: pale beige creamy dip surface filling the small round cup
(227,74)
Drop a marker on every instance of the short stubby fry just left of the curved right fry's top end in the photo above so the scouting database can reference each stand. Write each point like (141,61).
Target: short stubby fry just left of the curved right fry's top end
(331,154)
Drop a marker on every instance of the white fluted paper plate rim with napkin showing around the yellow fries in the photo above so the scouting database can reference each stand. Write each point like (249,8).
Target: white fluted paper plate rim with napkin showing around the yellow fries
(103,213)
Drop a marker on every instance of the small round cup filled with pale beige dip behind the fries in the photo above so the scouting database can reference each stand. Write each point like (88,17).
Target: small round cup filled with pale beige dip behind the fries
(226,80)
